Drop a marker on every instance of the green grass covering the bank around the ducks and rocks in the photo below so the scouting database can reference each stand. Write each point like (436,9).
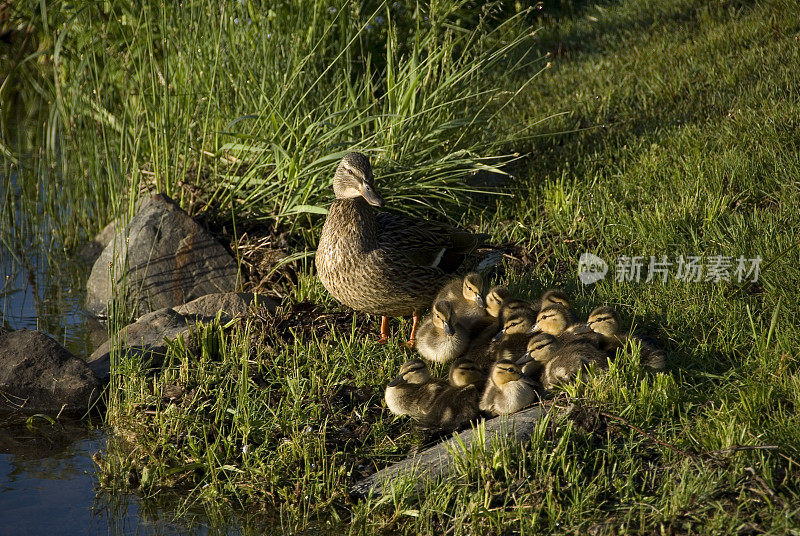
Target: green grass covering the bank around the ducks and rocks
(661,128)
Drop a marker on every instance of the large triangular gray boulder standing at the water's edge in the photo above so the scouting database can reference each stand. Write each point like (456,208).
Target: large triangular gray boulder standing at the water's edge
(162,258)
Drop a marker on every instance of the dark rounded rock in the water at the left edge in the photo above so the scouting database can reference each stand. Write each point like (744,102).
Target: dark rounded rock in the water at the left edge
(38,375)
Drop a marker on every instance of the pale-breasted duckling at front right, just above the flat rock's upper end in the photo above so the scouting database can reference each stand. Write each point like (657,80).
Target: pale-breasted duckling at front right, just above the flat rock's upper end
(507,390)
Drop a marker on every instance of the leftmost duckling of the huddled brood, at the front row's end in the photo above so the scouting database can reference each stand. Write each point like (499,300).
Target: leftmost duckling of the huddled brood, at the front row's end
(413,390)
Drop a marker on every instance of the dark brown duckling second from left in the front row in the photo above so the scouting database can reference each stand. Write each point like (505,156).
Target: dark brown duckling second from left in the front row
(457,404)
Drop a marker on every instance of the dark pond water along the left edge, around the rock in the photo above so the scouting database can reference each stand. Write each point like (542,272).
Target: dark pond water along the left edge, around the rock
(48,480)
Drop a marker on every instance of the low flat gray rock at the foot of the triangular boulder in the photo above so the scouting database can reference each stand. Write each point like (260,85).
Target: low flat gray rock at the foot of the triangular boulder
(147,337)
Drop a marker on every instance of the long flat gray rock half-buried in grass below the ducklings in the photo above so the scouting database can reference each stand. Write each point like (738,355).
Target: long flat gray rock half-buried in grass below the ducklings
(436,462)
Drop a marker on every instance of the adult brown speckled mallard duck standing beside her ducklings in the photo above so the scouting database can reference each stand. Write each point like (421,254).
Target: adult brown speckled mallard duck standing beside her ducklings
(383,263)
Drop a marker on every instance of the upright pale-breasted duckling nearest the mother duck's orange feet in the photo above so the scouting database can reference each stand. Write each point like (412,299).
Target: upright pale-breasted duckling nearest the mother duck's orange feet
(441,337)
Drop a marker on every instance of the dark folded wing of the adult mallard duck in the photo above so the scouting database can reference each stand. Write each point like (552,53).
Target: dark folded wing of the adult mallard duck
(425,242)
